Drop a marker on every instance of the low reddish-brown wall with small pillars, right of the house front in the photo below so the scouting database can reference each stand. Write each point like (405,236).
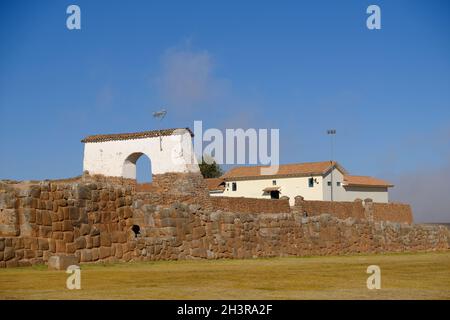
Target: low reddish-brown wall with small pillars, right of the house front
(358,209)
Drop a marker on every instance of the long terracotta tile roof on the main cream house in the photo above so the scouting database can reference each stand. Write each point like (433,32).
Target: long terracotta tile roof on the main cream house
(285,170)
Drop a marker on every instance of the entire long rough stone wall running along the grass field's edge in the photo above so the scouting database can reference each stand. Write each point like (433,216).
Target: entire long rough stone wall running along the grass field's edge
(92,219)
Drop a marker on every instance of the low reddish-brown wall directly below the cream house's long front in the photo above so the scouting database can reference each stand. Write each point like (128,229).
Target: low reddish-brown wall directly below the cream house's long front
(250,205)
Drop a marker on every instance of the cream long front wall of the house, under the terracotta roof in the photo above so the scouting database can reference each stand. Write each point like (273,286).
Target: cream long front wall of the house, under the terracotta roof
(289,187)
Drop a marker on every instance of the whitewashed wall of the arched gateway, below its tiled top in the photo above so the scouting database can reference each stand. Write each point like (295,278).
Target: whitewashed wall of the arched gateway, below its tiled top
(118,158)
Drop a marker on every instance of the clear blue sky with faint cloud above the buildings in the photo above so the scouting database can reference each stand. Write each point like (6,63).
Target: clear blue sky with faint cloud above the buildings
(300,66)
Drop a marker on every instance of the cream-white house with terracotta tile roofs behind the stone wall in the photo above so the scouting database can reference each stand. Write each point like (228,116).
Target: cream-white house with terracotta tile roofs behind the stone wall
(314,181)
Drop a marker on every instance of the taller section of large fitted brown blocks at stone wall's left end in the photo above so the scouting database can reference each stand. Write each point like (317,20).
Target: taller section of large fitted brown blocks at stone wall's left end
(88,219)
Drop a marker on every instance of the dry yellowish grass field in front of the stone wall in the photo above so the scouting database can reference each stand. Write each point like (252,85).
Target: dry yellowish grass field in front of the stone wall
(403,276)
